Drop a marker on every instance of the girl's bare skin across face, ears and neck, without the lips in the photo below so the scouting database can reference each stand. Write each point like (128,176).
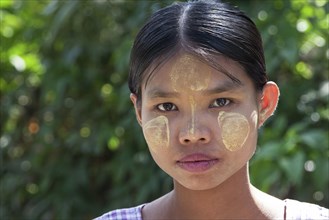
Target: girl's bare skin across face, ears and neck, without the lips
(198,124)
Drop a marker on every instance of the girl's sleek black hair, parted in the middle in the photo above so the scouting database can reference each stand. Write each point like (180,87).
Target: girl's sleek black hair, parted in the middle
(201,28)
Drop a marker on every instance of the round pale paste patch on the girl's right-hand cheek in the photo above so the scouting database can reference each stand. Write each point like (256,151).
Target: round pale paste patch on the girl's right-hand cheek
(234,130)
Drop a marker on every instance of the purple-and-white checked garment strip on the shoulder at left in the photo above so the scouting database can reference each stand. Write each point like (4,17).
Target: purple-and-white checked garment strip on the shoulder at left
(133,213)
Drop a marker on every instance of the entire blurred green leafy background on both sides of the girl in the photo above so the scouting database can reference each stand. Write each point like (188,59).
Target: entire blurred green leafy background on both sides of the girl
(70,145)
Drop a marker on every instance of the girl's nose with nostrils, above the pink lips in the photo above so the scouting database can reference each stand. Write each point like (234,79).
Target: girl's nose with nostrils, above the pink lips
(194,133)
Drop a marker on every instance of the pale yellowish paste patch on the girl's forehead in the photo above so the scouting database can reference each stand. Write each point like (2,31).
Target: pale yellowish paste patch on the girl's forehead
(189,73)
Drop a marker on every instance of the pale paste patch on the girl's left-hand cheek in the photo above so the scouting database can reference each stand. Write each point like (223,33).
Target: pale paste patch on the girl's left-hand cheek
(156,132)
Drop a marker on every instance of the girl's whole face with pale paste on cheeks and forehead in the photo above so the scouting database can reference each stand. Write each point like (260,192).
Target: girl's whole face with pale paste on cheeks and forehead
(200,126)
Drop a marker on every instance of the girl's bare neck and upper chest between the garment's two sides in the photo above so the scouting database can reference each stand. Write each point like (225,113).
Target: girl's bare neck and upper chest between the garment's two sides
(235,198)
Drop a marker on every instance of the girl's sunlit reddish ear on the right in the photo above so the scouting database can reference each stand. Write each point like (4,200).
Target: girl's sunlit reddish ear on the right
(268,102)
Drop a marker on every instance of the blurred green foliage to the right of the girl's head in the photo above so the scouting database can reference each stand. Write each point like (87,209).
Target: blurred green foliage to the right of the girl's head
(292,157)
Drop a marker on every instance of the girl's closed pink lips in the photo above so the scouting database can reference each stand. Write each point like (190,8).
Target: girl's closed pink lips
(196,163)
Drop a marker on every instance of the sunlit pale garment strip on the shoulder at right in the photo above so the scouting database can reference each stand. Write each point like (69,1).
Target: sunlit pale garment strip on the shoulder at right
(302,210)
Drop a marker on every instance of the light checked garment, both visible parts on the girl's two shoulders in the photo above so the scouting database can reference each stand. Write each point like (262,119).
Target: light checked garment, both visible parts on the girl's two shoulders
(294,210)
